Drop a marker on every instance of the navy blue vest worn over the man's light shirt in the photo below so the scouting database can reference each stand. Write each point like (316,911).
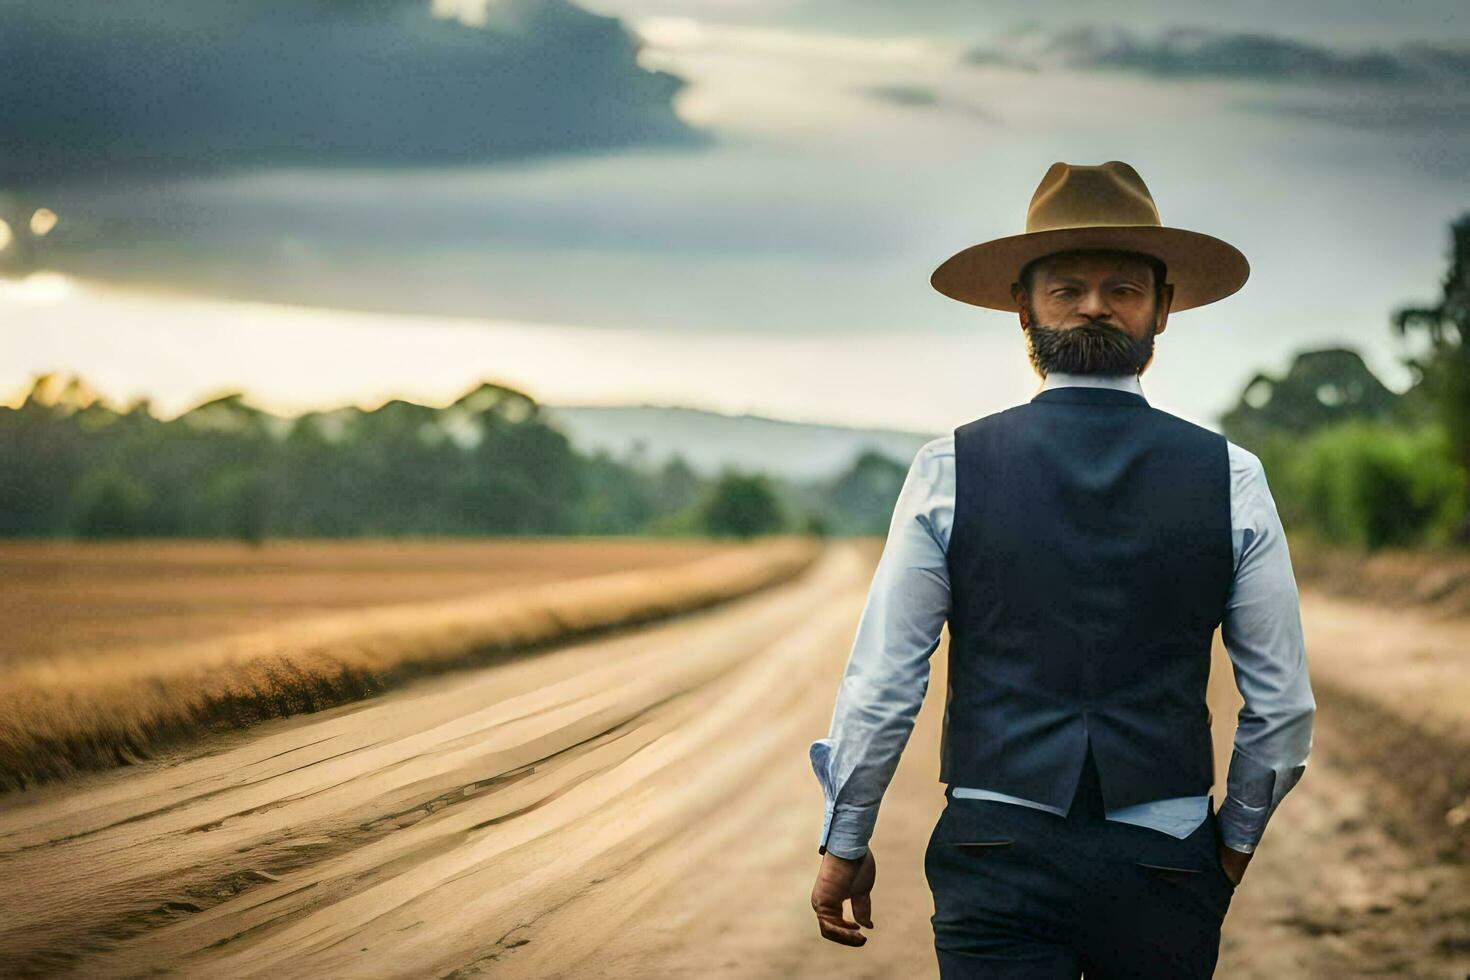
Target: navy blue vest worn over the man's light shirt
(1090,565)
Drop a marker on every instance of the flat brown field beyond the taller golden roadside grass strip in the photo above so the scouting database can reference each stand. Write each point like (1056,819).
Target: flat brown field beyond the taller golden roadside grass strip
(82,599)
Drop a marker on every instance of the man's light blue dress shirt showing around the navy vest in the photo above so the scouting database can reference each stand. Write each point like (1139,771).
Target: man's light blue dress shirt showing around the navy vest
(909,602)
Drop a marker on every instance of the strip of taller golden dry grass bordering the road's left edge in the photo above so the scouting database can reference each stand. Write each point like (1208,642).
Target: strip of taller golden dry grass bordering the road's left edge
(87,710)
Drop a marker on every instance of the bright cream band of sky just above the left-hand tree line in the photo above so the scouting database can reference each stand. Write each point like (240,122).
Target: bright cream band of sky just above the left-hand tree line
(180,352)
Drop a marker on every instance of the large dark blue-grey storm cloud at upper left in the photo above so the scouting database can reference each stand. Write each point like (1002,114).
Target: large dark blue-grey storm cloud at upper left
(180,87)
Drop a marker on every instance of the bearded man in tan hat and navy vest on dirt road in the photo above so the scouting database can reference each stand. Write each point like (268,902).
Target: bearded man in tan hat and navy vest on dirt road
(1084,547)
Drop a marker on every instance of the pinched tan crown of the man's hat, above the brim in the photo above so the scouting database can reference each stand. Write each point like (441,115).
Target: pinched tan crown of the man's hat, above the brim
(1078,196)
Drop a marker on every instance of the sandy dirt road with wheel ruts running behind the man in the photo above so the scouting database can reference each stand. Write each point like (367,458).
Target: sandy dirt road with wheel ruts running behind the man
(634,807)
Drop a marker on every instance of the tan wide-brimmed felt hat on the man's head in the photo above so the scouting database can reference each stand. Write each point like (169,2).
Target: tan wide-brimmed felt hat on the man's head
(1106,206)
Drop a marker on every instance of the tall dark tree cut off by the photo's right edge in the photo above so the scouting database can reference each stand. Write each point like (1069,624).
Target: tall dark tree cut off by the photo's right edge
(1443,372)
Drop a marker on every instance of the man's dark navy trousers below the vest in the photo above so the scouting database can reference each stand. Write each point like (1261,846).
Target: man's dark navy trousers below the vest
(1022,893)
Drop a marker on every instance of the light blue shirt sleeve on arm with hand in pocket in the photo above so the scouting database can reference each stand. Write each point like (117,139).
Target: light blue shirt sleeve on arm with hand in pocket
(1263,635)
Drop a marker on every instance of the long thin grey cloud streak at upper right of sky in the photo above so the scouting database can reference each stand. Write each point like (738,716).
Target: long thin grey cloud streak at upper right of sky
(1209,54)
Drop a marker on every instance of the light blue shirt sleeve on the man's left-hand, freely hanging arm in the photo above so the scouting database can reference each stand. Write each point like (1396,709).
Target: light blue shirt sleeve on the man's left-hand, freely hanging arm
(887,671)
